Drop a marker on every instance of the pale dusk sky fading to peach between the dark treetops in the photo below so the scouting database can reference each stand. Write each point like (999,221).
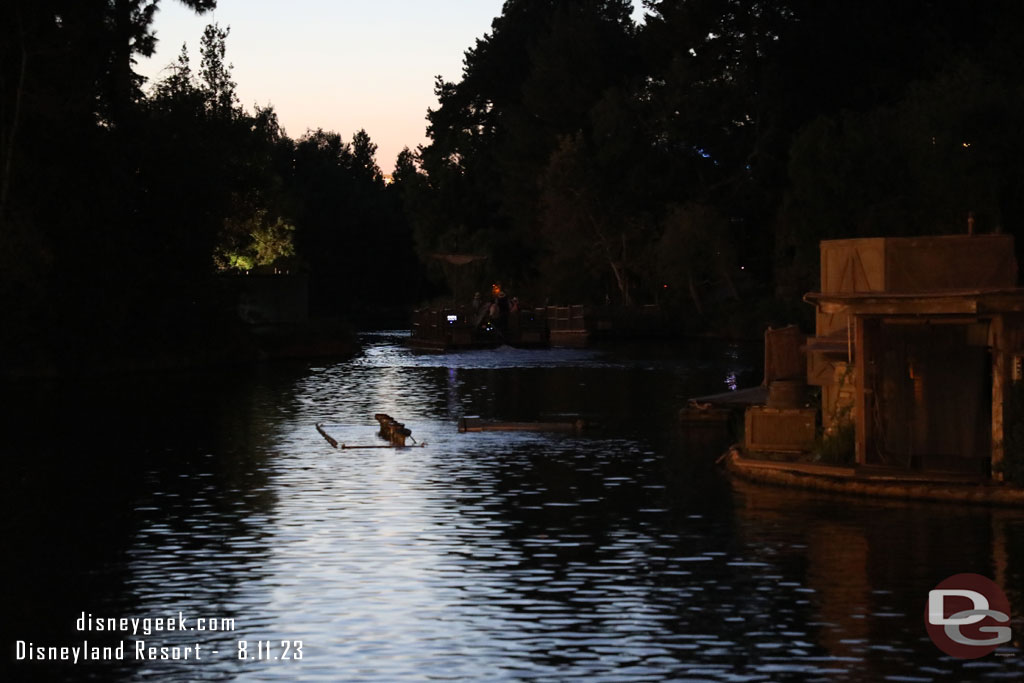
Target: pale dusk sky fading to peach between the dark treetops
(337,65)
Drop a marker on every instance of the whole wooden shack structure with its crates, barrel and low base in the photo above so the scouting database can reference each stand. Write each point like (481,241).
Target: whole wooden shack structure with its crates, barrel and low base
(917,355)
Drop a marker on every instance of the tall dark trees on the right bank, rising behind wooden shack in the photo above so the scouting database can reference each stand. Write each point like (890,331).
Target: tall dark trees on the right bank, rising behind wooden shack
(697,159)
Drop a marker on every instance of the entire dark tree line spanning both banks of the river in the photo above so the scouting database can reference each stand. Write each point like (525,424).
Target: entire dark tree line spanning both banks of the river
(695,160)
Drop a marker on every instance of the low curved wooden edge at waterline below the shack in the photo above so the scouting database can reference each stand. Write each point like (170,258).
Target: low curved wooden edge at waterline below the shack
(844,481)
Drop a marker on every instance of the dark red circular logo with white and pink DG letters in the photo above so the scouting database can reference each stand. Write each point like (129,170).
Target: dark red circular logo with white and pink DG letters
(968,616)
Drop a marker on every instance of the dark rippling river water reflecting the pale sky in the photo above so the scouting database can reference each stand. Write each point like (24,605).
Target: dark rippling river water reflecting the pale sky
(620,554)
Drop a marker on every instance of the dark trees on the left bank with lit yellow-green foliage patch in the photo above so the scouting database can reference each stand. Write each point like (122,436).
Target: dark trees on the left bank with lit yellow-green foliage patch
(124,204)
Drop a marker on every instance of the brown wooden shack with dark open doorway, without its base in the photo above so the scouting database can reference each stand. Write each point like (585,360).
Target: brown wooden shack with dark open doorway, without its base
(916,345)
